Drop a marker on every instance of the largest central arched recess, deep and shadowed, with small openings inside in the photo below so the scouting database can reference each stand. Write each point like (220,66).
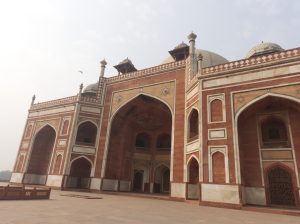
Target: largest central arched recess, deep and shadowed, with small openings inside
(140,140)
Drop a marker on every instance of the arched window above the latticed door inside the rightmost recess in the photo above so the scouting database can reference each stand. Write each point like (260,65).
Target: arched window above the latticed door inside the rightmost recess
(274,133)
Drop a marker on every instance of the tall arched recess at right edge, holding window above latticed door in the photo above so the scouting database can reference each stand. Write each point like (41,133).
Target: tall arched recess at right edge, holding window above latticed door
(265,136)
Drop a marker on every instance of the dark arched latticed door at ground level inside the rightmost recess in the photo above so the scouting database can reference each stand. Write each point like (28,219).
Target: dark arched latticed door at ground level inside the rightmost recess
(280,187)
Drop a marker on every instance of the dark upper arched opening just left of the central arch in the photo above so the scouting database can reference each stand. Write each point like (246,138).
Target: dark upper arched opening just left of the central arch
(86,134)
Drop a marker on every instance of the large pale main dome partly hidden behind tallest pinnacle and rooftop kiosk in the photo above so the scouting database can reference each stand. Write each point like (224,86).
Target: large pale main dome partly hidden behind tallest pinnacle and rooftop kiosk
(209,58)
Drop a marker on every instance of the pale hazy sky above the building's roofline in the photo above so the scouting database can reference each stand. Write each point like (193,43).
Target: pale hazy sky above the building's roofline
(43,44)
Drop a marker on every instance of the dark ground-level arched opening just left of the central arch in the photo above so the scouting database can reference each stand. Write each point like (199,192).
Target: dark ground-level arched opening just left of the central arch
(80,174)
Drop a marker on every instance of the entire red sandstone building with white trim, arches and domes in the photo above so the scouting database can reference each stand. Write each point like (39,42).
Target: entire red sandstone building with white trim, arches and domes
(195,127)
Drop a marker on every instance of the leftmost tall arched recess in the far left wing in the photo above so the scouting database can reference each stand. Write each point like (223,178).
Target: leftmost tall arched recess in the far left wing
(40,156)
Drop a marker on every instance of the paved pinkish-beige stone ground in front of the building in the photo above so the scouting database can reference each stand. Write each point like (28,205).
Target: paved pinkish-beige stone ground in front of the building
(124,209)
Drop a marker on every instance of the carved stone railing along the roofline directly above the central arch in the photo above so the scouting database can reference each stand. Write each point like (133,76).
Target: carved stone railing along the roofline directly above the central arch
(147,71)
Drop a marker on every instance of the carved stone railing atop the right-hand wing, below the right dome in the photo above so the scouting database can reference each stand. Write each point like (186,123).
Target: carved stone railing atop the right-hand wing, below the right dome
(252,61)
